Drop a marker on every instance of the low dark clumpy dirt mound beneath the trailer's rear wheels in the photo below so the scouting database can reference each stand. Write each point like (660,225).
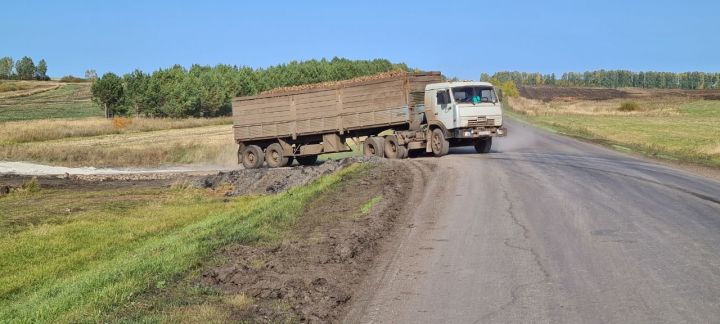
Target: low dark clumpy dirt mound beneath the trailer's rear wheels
(274,180)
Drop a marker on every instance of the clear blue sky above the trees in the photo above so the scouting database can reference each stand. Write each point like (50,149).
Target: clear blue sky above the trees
(459,38)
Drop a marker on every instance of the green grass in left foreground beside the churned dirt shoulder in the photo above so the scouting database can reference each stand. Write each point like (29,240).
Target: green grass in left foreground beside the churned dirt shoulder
(69,256)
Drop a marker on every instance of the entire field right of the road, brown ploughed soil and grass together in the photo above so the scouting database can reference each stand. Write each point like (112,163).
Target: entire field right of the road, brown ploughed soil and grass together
(670,124)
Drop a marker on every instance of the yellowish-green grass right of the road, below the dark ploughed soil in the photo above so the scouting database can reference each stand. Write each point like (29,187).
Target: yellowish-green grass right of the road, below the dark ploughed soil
(693,135)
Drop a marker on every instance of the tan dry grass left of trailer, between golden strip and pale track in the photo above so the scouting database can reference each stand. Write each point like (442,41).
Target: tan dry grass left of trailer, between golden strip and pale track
(209,144)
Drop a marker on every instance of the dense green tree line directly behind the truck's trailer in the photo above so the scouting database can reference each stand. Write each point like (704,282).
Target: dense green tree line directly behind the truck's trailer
(207,91)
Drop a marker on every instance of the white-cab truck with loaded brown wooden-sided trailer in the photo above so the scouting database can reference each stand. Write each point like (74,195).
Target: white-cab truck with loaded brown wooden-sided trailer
(408,114)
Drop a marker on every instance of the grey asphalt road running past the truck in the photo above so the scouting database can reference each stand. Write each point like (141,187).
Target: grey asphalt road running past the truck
(547,229)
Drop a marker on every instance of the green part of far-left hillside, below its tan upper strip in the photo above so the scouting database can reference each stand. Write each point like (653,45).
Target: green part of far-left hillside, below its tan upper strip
(68,101)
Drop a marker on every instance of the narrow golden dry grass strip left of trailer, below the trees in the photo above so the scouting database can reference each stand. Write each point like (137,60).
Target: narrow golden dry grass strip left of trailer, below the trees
(53,129)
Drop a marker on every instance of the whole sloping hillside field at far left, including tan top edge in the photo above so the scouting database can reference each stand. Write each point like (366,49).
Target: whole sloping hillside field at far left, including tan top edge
(46,99)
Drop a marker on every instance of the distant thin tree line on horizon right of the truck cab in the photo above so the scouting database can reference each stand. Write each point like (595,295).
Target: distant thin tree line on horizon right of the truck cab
(612,79)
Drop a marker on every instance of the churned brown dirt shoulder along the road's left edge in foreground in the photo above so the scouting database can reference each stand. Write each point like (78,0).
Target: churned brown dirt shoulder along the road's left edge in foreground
(313,274)
